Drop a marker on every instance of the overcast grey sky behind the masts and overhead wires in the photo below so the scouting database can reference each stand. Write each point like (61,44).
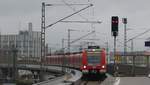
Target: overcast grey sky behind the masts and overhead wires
(15,15)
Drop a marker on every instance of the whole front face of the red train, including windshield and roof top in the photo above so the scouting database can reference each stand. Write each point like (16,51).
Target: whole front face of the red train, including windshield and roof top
(94,60)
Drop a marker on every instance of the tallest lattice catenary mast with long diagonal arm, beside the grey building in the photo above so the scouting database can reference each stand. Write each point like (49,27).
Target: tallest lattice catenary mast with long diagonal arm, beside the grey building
(43,27)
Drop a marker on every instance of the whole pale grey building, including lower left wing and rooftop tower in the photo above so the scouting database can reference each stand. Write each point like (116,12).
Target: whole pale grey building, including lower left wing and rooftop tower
(28,43)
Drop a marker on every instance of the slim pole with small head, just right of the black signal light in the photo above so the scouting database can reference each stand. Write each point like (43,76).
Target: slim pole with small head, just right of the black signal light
(124,20)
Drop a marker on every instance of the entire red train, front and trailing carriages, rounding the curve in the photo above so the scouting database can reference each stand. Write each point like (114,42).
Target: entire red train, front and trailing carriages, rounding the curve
(91,60)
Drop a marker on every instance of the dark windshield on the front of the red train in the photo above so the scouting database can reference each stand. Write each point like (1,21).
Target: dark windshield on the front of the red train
(93,58)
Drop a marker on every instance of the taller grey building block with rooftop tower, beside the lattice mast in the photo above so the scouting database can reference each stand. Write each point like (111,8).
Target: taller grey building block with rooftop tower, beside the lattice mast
(29,43)
